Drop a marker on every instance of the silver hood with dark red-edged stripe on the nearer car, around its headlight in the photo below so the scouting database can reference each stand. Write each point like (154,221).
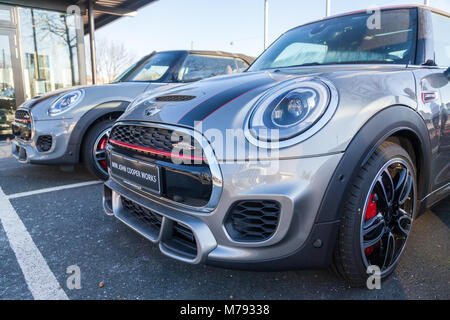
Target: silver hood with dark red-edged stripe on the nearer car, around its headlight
(218,104)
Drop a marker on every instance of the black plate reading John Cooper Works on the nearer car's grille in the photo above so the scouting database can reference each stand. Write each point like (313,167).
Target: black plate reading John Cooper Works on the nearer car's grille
(140,175)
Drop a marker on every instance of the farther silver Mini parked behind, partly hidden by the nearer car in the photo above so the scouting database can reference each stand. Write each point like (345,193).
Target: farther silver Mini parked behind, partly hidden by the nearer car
(71,126)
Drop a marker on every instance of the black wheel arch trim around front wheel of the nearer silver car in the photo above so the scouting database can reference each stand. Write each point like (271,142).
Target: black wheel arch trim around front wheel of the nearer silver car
(409,130)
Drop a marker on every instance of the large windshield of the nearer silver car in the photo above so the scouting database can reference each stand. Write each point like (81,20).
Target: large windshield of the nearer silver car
(388,37)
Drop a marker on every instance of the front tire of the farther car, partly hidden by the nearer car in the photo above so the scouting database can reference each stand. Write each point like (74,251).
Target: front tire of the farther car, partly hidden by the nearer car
(91,142)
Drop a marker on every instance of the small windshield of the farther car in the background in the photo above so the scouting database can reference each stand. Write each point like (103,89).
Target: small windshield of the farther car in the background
(152,69)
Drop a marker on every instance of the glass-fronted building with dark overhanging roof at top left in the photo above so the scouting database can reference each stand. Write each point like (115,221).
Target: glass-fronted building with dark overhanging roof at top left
(42,46)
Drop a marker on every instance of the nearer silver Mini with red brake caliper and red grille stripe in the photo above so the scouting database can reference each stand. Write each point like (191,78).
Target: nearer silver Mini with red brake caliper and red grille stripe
(322,153)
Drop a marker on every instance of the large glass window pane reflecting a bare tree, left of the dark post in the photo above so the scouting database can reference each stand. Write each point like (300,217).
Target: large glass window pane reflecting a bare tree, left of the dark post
(49,51)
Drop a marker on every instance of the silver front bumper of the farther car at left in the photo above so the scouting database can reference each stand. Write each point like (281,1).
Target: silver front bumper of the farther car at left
(57,132)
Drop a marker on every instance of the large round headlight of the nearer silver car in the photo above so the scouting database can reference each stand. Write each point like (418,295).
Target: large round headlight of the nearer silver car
(288,111)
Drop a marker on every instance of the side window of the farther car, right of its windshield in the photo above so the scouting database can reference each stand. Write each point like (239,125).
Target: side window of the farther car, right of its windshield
(197,67)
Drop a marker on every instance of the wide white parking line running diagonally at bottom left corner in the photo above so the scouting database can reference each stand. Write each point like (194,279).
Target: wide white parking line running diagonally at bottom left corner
(40,279)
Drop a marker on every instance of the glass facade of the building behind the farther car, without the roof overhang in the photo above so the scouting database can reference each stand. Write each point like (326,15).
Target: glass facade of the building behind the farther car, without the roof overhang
(38,54)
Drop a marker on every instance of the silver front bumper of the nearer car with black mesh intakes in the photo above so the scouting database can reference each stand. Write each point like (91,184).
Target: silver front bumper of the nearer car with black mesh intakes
(298,242)
